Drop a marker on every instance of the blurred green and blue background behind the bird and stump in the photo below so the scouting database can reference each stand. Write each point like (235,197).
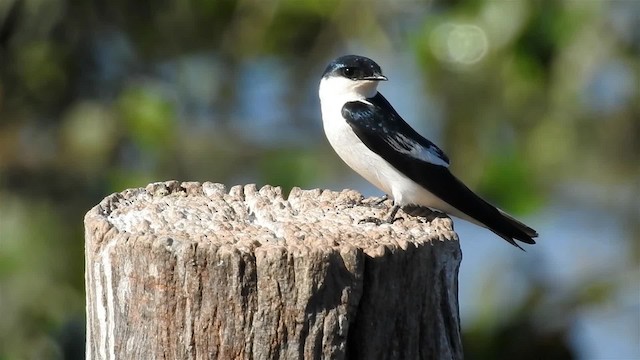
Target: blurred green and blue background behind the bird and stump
(536,102)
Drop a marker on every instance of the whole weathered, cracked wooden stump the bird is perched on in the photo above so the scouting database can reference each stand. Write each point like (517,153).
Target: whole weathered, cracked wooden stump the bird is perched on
(194,271)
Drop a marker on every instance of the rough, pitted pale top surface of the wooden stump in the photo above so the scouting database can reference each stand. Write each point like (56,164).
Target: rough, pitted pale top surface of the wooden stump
(249,217)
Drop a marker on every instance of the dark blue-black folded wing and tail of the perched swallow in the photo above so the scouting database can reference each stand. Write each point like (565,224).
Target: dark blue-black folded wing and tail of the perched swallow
(384,132)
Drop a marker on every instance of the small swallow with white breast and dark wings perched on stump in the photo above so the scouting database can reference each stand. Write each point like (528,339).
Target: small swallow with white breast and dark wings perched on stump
(372,138)
